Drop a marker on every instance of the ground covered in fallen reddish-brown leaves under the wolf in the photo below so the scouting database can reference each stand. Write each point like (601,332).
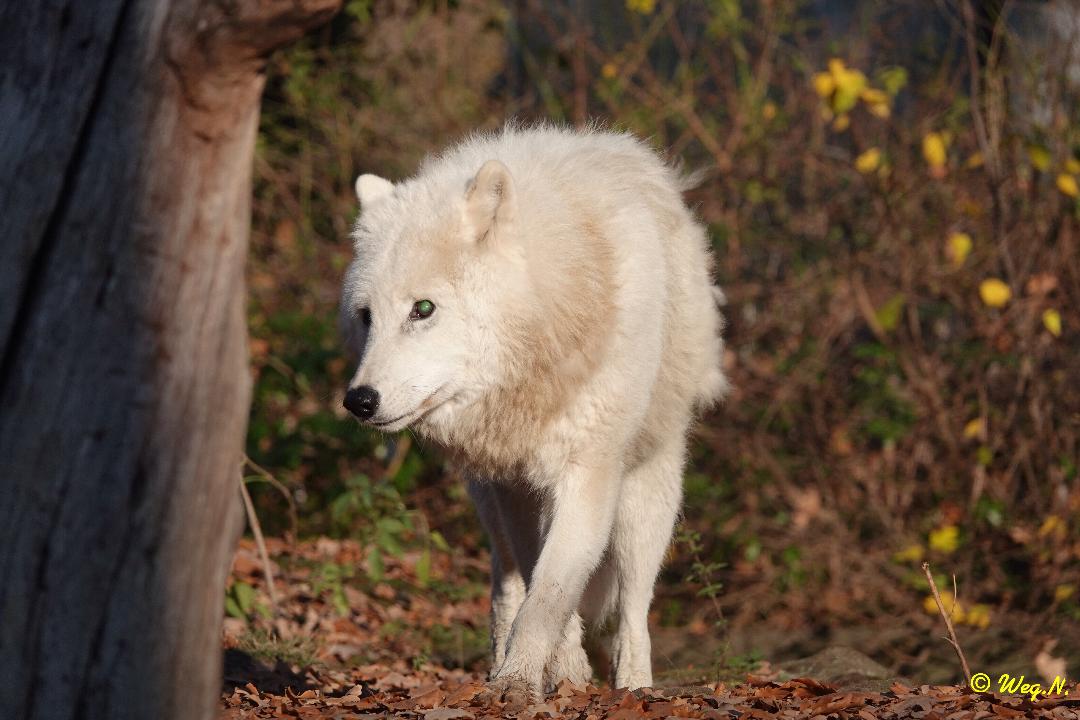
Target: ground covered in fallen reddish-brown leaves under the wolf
(331,650)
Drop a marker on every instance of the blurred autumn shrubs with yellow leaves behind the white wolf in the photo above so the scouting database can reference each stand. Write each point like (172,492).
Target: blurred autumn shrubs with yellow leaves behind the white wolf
(893,202)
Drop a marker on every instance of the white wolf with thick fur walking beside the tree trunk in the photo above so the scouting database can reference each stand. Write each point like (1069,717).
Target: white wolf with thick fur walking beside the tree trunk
(541,303)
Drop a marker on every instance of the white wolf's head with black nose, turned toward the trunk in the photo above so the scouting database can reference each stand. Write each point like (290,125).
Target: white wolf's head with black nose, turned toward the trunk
(437,278)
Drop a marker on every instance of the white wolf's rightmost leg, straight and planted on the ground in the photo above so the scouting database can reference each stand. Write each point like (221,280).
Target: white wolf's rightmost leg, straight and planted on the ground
(650,505)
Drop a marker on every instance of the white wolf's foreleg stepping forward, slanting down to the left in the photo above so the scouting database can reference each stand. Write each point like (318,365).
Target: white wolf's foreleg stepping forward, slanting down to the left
(583,513)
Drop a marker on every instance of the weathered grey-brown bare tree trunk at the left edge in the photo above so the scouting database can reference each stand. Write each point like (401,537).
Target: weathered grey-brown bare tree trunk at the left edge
(127,133)
